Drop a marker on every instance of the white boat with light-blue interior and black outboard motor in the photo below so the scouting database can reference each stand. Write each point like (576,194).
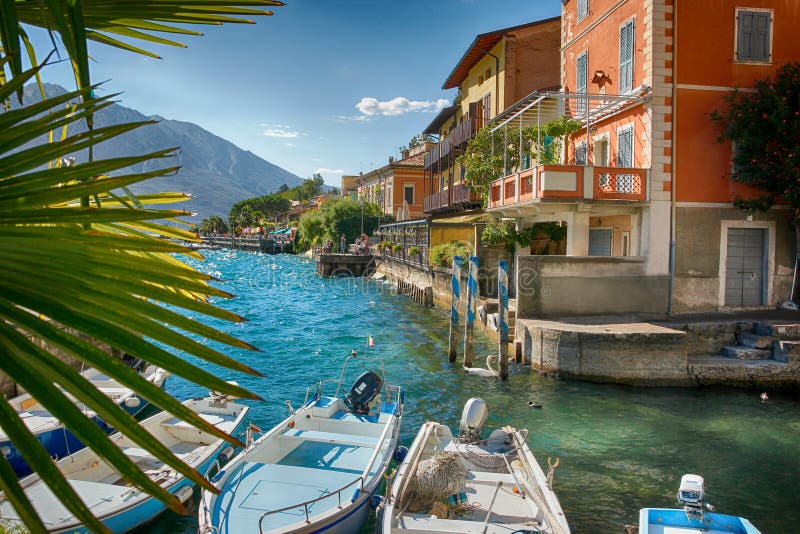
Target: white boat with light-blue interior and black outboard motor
(317,470)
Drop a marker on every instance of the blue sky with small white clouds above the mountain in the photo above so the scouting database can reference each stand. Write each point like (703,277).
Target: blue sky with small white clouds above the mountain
(321,86)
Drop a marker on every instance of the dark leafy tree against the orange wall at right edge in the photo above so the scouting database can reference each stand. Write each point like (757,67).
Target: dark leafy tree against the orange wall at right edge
(764,126)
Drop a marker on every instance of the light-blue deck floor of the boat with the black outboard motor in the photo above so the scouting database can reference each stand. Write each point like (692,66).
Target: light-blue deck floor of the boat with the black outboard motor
(322,464)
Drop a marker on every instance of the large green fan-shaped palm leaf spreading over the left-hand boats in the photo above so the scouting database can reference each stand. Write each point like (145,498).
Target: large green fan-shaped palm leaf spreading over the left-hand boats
(104,281)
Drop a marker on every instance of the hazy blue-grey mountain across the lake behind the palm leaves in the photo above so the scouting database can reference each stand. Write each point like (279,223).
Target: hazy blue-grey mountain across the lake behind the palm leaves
(216,172)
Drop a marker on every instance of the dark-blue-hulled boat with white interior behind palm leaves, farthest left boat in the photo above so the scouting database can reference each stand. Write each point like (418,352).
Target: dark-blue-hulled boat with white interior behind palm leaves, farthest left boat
(51,433)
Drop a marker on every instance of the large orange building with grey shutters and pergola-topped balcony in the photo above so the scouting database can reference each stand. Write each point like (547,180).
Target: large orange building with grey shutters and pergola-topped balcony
(644,186)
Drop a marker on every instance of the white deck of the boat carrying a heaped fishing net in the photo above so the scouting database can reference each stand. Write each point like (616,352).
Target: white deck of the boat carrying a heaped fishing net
(510,511)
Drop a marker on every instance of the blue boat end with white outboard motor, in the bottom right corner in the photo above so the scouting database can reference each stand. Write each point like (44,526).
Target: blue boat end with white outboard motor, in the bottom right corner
(696,517)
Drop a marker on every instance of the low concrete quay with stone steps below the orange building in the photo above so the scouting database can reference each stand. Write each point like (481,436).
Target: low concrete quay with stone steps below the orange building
(742,349)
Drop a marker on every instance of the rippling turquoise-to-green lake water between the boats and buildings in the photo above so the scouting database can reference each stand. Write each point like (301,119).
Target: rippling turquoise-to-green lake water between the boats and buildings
(620,448)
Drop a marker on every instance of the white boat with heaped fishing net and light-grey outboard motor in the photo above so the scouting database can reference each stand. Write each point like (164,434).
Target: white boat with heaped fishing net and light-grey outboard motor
(464,484)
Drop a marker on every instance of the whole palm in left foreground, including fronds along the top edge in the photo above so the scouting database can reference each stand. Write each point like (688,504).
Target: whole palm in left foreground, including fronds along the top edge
(80,255)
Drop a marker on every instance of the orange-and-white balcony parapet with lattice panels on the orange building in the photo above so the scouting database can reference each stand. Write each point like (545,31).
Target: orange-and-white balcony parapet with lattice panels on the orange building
(569,183)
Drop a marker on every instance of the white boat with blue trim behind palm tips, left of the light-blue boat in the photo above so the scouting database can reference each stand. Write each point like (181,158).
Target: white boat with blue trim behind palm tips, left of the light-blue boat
(117,503)
